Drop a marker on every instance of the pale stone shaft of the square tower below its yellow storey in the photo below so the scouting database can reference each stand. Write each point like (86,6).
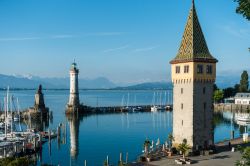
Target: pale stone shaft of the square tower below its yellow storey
(192,113)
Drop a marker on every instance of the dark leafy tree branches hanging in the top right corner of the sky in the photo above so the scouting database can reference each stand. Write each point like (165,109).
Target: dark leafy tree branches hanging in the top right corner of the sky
(243,8)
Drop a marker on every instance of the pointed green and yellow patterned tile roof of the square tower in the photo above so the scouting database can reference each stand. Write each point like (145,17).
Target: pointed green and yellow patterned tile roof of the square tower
(193,45)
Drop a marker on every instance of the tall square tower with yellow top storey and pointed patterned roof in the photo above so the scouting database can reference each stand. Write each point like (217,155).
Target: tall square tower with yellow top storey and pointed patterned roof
(193,76)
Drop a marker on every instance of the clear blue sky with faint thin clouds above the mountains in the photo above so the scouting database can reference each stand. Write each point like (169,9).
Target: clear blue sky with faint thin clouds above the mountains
(123,40)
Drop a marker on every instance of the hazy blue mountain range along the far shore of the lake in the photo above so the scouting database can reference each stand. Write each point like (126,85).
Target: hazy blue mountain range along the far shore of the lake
(32,82)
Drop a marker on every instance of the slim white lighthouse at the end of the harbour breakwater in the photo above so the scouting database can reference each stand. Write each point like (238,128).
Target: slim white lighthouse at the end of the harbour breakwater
(73,103)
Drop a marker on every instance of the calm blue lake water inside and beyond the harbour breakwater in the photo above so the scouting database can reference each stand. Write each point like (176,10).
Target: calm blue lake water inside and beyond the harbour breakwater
(94,137)
